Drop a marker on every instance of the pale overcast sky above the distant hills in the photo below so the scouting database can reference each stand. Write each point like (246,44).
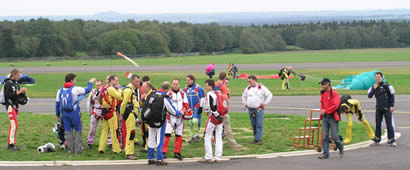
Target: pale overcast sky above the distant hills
(89,7)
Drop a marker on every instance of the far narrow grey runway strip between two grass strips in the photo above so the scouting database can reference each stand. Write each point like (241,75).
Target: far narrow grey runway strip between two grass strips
(144,68)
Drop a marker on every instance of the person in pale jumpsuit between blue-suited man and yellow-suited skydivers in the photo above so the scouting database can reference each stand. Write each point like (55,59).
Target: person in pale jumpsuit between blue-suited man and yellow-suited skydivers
(94,110)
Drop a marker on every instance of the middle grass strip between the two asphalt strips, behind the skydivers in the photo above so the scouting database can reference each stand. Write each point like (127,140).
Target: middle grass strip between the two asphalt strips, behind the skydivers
(48,84)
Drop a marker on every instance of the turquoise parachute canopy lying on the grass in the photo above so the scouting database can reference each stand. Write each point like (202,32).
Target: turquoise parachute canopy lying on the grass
(362,81)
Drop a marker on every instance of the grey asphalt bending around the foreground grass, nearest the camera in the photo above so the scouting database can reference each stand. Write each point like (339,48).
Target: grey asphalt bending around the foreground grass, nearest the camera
(382,157)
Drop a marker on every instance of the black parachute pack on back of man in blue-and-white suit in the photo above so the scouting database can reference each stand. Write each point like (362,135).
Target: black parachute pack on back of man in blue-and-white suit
(154,111)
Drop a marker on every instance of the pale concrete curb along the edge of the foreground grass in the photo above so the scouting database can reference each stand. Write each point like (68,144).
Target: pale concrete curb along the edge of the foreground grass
(187,160)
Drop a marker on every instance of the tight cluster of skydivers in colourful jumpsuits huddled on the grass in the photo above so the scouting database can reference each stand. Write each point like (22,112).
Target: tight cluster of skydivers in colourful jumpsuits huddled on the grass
(121,109)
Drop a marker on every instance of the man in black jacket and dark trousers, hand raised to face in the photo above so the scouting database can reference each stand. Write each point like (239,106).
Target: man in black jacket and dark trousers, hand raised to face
(384,94)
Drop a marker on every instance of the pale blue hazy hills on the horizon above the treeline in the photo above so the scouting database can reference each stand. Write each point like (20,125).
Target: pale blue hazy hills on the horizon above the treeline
(240,18)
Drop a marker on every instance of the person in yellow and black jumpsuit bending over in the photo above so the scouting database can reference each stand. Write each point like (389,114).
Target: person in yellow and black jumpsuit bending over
(352,106)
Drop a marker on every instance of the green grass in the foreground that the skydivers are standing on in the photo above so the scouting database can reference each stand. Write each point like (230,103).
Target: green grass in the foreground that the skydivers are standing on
(36,129)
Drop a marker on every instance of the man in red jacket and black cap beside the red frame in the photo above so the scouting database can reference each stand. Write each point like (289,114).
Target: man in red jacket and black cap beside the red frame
(329,104)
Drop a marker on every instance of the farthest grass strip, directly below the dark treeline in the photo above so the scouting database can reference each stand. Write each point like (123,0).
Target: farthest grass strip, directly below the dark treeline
(349,55)
